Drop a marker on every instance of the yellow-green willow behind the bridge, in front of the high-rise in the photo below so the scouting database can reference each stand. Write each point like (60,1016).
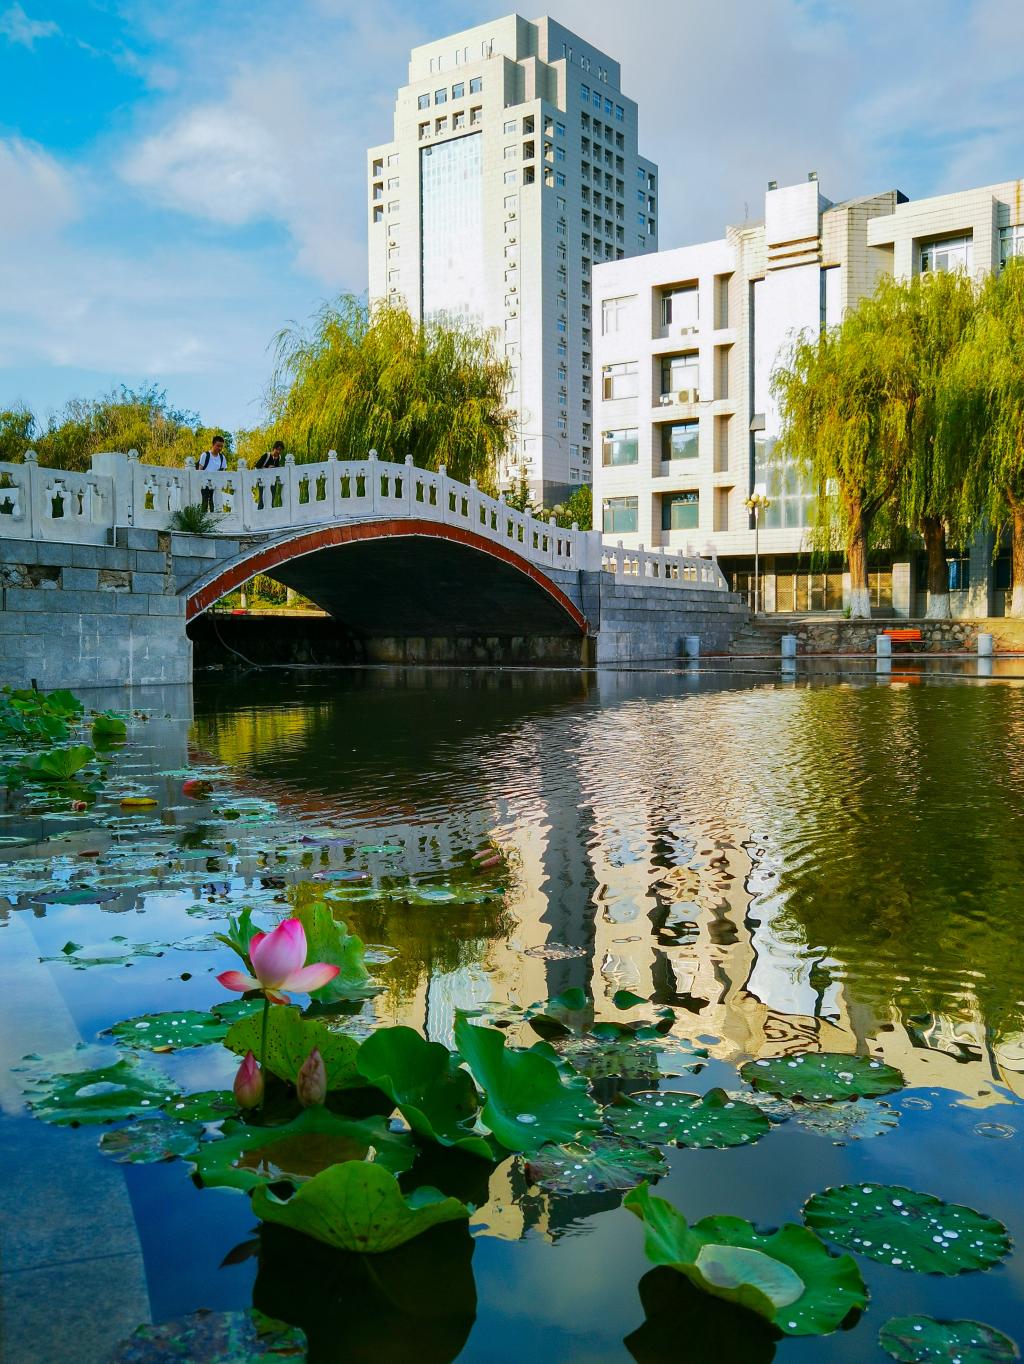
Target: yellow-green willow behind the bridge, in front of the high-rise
(366,379)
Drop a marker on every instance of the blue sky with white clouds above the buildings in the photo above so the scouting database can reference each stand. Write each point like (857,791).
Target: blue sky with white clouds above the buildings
(179,179)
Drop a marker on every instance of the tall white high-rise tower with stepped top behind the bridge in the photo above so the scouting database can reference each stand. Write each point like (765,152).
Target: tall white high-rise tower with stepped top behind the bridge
(513,171)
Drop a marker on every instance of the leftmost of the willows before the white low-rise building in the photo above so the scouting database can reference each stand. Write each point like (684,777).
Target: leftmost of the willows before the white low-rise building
(847,430)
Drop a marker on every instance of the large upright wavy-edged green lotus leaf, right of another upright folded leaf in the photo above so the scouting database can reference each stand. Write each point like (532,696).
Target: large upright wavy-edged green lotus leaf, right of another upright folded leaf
(528,1104)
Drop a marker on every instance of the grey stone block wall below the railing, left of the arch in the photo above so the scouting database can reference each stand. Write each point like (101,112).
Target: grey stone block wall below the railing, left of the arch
(85,616)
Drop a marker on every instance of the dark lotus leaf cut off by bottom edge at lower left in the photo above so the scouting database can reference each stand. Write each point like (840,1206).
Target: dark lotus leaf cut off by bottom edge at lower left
(226,1337)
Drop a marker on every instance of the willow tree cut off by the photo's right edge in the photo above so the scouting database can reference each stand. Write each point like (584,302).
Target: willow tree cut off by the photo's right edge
(984,417)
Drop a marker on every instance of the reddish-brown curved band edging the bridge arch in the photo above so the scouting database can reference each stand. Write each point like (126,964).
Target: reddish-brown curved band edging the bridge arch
(269,559)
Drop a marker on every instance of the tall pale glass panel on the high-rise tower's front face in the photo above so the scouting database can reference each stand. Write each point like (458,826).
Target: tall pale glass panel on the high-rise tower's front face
(452,228)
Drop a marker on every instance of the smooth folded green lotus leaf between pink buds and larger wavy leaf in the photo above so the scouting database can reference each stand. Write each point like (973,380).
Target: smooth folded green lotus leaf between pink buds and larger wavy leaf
(436,1096)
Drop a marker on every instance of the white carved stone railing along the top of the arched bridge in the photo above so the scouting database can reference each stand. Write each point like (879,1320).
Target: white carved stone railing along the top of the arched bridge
(119,492)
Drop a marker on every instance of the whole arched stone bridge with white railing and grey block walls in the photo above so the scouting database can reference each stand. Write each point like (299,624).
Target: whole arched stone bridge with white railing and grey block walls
(392,552)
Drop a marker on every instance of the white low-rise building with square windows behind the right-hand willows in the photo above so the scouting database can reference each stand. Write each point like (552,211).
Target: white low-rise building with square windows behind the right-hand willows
(685,350)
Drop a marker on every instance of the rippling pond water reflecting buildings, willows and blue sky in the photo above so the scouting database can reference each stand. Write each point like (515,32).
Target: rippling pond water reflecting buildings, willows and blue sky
(785,867)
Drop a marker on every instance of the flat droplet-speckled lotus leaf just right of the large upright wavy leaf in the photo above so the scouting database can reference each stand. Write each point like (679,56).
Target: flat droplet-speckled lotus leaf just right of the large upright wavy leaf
(710,1121)
